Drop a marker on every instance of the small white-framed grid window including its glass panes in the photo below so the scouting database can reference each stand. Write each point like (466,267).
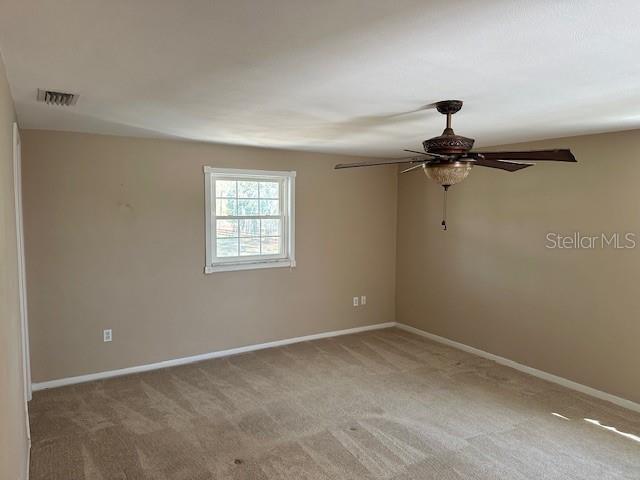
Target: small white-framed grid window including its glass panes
(249,219)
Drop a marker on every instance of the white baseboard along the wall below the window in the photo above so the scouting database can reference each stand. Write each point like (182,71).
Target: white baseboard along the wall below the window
(198,358)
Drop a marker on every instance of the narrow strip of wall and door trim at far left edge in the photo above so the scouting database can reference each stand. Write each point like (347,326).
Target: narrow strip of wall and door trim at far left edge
(13,430)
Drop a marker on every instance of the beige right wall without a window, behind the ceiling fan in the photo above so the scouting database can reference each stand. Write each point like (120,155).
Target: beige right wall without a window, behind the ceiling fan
(489,281)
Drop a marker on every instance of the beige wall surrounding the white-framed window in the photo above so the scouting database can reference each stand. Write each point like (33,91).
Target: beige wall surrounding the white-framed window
(114,232)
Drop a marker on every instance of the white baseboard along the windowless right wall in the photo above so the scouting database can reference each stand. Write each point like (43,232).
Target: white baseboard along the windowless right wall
(622,402)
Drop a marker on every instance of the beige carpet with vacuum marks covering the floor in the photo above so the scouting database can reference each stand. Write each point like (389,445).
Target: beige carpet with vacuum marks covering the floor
(378,405)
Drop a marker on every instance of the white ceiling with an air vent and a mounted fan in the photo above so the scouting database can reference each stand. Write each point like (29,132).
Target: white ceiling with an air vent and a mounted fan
(325,75)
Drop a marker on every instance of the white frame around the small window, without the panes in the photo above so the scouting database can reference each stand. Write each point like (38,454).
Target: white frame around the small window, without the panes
(287,207)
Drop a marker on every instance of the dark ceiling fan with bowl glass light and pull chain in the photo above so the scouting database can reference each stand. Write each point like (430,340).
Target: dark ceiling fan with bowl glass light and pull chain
(447,159)
